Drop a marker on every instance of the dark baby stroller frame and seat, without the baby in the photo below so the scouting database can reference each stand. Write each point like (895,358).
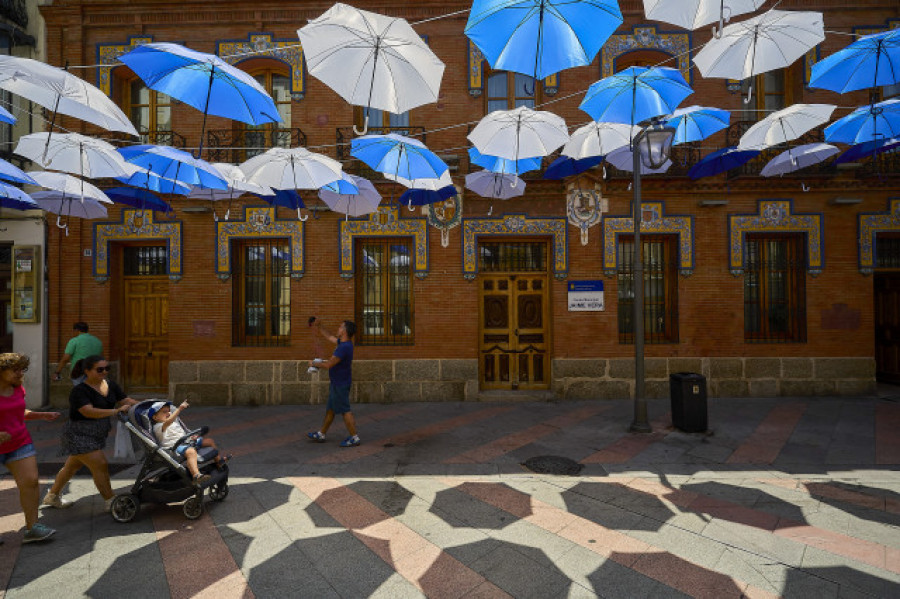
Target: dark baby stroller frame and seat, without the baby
(164,477)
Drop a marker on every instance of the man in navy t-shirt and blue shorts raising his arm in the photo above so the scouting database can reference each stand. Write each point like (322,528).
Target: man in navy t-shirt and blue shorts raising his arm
(339,367)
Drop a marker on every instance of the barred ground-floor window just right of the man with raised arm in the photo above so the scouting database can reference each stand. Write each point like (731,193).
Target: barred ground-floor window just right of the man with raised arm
(384,298)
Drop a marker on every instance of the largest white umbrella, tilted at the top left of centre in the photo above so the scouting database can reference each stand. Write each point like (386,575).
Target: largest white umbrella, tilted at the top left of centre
(371,59)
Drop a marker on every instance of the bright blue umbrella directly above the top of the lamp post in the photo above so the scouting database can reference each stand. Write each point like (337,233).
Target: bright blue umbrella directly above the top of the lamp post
(635,95)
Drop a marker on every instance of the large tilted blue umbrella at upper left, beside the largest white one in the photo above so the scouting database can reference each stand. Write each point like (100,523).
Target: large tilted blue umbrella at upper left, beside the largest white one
(204,81)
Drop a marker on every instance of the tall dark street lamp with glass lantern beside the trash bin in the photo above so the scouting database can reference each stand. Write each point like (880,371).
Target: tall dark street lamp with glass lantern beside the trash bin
(651,146)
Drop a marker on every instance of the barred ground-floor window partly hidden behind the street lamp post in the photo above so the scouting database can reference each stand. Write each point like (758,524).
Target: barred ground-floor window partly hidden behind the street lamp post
(660,288)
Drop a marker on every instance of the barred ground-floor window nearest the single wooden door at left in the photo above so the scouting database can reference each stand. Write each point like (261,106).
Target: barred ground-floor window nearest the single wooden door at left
(261,292)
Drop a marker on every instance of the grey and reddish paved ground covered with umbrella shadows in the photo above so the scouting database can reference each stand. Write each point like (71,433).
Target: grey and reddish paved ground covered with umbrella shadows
(794,497)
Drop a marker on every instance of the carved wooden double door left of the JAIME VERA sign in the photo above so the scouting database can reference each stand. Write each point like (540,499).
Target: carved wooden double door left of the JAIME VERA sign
(514,332)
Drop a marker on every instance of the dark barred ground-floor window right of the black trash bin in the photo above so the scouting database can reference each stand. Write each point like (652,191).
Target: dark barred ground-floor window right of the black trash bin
(775,289)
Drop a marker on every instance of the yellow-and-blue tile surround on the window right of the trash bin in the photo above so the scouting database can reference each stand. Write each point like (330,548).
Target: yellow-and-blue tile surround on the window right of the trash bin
(776,216)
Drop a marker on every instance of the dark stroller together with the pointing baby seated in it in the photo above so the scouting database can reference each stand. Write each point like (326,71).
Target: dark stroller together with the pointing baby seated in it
(173,459)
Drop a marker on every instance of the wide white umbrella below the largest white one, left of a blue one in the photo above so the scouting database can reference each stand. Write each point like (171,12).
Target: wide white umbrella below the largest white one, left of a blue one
(291,168)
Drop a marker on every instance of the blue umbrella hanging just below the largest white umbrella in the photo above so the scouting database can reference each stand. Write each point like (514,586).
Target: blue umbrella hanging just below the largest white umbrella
(398,156)
